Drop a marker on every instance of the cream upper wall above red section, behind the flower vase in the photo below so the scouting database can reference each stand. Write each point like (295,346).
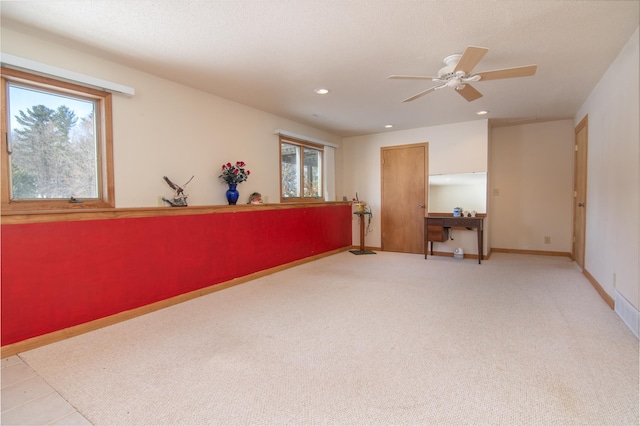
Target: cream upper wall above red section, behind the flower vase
(174,130)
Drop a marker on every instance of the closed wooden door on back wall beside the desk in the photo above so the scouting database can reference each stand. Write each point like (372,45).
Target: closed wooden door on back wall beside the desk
(404,171)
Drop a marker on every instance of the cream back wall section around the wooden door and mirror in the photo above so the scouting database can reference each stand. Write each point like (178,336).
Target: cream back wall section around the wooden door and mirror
(453,148)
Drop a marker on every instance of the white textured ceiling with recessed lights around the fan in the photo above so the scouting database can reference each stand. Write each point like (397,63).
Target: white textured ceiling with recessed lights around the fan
(272,54)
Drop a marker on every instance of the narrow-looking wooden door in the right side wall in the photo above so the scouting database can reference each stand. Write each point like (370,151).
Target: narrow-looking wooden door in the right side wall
(580,192)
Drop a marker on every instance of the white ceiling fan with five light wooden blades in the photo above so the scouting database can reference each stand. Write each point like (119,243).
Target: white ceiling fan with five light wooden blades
(457,74)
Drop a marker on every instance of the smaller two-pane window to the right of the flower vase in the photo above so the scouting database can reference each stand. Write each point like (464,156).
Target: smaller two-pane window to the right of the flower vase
(300,170)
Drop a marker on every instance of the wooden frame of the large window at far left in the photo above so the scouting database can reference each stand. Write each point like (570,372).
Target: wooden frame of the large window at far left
(104,133)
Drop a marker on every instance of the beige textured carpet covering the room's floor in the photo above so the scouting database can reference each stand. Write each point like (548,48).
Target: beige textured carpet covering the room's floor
(365,340)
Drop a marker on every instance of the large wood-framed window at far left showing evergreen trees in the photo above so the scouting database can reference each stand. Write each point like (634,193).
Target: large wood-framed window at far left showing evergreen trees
(57,139)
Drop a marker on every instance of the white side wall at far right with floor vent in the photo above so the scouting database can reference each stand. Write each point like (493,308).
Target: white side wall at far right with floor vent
(613,180)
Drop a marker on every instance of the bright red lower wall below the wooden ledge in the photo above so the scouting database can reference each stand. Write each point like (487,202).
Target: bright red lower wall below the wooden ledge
(60,274)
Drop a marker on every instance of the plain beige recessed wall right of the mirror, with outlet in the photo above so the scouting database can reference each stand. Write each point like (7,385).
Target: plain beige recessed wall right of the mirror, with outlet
(531,186)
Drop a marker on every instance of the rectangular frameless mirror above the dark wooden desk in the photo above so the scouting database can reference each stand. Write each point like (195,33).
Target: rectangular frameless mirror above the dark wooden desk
(466,190)
